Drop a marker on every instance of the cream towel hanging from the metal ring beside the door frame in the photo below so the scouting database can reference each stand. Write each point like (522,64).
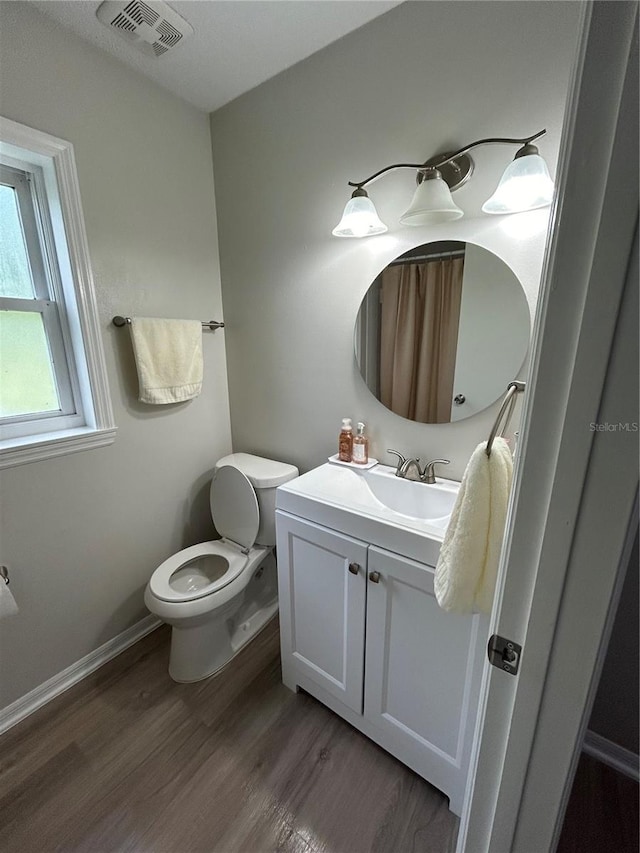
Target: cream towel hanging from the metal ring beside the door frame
(467,567)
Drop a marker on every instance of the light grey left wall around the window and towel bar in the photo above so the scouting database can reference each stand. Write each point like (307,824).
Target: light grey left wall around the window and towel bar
(82,534)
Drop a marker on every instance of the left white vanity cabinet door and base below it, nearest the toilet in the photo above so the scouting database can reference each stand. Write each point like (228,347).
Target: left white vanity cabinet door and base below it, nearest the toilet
(322,593)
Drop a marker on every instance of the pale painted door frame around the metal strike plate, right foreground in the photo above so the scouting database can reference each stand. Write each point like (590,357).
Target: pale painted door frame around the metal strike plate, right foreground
(564,543)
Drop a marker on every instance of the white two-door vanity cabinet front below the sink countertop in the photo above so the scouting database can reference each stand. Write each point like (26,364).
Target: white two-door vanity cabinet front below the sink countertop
(362,632)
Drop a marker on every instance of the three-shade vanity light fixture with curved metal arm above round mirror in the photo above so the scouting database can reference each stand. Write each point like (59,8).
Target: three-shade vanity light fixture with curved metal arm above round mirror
(525,185)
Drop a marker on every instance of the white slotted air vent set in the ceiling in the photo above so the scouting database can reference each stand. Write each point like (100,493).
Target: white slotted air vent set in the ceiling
(152,26)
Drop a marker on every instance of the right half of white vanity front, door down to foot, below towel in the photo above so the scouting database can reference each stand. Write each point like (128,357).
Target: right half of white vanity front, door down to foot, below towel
(423,669)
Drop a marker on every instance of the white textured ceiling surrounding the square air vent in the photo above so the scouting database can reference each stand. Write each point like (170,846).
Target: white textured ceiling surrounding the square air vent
(237,45)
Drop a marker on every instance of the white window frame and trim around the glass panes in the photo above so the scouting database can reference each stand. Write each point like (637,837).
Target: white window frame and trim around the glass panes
(66,299)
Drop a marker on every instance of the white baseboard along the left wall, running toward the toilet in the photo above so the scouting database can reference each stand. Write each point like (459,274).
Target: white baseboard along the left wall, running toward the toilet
(21,708)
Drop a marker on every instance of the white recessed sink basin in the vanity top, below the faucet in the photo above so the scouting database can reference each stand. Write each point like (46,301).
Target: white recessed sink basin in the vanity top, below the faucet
(431,503)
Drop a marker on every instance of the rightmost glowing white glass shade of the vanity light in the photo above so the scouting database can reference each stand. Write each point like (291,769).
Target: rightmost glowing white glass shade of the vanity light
(525,185)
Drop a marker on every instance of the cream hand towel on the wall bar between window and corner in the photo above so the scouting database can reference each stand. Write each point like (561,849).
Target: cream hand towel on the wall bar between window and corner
(168,357)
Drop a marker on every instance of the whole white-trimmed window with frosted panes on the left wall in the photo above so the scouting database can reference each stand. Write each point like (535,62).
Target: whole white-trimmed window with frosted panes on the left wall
(53,393)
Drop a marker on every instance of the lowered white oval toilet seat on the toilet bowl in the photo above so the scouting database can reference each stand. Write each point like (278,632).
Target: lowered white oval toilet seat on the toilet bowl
(196,564)
